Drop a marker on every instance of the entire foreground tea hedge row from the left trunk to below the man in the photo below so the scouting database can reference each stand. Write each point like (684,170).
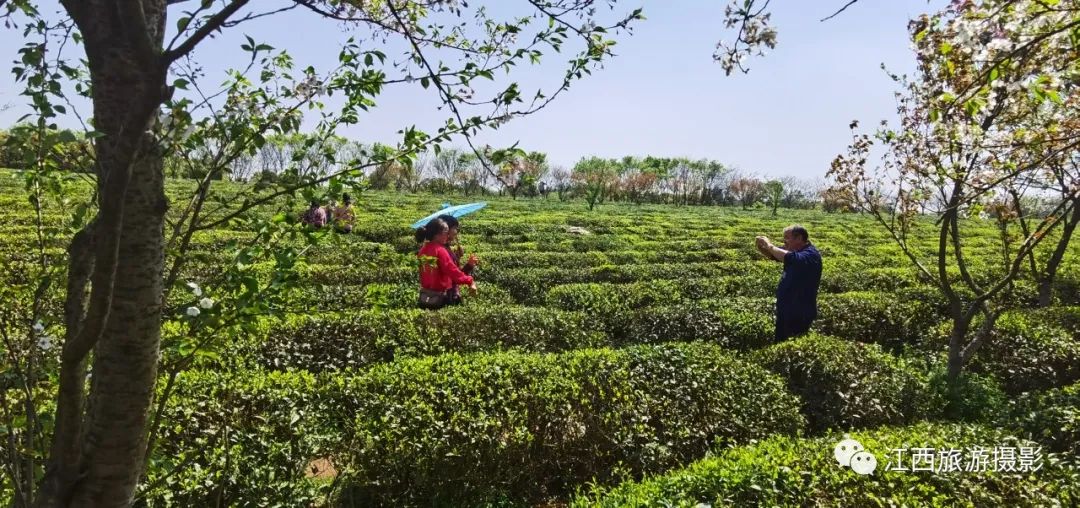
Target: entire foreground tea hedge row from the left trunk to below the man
(461,431)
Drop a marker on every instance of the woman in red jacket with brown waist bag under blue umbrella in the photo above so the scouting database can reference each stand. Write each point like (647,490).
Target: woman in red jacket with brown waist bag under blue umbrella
(439,272)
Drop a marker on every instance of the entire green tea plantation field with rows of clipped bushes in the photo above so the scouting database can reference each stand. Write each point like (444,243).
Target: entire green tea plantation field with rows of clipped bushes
(632,366)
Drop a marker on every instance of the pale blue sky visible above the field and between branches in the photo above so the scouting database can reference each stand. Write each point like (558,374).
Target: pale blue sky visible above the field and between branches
(663,95)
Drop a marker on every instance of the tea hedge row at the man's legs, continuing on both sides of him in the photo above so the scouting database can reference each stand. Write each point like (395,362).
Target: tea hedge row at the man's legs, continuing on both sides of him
(700,310)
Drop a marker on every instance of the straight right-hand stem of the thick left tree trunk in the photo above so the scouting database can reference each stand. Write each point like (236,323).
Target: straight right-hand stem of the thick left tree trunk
(126,359)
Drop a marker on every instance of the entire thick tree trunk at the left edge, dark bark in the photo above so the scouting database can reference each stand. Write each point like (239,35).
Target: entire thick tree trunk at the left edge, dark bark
(123,325)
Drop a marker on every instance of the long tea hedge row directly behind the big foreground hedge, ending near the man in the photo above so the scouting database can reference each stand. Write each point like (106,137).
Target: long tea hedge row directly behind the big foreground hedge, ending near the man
(361,339)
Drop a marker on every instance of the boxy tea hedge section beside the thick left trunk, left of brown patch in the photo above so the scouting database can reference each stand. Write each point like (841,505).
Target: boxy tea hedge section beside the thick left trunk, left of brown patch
(240,439)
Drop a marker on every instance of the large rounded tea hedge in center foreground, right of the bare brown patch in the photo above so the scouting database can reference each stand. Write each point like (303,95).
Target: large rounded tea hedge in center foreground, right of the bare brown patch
(456,431)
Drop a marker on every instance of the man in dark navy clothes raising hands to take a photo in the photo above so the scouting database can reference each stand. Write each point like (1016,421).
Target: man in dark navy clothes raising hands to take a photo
(798,292)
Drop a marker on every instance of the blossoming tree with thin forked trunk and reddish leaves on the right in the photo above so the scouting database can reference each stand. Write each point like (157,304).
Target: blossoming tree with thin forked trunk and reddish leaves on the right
(992,114)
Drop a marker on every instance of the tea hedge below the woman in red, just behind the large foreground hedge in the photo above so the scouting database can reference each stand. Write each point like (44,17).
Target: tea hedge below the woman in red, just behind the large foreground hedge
(364,339)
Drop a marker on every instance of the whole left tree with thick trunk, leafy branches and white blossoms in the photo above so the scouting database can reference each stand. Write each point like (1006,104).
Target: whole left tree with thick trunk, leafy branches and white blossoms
(147,103)
